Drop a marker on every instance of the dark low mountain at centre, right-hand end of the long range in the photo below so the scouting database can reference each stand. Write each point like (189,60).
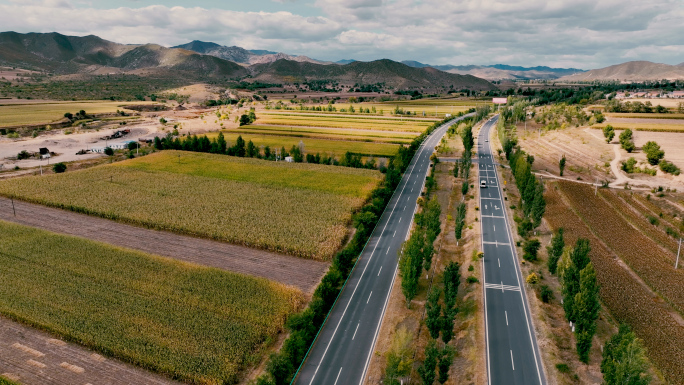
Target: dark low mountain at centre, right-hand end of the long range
(385,71)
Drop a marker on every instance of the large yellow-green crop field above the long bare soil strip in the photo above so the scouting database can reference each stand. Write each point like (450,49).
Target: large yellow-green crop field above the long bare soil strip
(298,209)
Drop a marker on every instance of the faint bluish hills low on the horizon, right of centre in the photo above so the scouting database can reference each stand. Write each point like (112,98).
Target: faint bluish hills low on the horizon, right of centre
(500,71)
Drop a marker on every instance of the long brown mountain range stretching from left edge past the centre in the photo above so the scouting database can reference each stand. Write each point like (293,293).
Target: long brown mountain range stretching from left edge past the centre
(91,55)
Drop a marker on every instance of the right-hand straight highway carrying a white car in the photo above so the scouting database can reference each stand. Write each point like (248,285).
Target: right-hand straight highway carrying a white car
(512,350)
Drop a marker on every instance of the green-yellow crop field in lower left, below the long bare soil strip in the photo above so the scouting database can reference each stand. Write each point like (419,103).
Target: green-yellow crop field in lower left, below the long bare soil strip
(196,324)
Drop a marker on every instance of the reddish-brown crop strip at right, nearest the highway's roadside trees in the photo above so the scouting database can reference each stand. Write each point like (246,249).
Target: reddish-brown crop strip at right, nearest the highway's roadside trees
(626,298)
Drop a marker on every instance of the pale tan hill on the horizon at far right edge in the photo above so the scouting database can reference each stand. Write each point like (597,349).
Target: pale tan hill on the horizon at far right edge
(631,71)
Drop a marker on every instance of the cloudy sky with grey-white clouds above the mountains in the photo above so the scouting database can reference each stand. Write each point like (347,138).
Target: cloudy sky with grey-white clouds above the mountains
(560,33)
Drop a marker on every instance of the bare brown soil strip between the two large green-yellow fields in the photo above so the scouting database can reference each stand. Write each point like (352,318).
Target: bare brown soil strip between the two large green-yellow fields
(302,273)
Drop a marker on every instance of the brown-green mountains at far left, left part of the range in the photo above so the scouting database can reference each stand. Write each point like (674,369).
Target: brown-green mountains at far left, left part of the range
(62,54)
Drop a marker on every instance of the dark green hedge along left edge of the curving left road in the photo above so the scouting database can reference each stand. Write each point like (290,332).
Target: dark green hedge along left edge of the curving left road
(282,367)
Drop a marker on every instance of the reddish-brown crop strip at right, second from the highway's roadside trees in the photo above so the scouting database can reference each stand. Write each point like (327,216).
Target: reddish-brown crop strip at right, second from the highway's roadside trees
(641,253)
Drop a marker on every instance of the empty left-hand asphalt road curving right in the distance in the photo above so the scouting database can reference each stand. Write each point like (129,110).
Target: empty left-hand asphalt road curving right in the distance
(342,351)
